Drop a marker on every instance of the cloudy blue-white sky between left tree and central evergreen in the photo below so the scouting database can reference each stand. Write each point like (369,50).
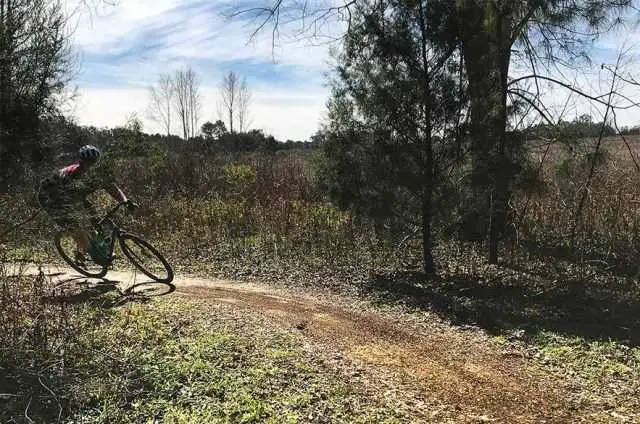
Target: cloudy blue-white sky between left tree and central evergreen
(112,87)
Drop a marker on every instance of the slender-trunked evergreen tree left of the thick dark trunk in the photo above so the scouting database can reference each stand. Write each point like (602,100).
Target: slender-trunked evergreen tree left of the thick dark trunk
(393,95)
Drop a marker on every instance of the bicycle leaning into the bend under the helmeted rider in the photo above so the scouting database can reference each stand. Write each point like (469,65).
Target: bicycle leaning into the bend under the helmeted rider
(129,244)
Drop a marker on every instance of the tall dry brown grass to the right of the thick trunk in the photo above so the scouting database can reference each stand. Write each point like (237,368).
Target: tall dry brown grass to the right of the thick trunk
(607,229)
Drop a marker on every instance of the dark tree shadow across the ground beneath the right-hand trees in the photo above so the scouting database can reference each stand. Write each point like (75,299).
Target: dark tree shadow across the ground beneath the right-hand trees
(582,306)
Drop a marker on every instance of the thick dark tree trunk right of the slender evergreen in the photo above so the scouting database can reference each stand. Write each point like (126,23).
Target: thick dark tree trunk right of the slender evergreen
(486,47)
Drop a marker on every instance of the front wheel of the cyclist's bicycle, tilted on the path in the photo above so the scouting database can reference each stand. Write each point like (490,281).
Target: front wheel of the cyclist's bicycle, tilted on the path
(146,258)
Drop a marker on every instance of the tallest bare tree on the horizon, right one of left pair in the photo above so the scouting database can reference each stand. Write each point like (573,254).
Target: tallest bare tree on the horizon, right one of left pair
(187,101)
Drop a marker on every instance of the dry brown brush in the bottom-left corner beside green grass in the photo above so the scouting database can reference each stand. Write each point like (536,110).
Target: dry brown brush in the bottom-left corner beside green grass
(38,341)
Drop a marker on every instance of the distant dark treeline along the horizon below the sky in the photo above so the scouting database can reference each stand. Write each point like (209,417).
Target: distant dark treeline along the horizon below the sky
(130,139)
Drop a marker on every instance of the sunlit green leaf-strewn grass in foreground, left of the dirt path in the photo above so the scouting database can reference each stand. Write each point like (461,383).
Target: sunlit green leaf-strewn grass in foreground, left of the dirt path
(154,361)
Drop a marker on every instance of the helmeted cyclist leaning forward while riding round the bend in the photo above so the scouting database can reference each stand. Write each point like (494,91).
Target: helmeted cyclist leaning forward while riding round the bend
(63,196)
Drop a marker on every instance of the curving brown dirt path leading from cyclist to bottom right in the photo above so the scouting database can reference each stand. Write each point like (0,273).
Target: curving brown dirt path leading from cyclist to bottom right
(453,376)
